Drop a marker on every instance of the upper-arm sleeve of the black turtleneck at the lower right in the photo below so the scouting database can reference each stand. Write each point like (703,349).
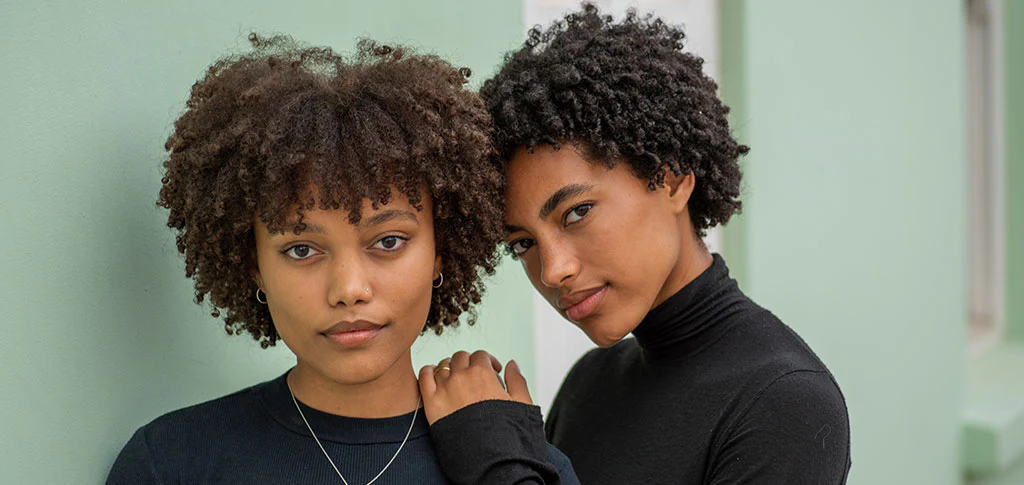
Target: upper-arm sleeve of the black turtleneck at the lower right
(797,431)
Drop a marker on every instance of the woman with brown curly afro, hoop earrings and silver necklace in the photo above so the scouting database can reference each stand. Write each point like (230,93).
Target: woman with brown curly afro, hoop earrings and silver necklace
(345,207)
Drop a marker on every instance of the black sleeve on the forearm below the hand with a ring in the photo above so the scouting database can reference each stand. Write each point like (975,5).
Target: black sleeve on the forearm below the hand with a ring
(499,444)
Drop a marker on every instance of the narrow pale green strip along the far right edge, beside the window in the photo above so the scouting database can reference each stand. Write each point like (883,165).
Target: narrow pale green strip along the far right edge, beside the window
(1013,32)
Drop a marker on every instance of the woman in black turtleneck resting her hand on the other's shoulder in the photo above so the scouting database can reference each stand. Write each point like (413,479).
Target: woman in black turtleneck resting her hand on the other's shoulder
(619,158)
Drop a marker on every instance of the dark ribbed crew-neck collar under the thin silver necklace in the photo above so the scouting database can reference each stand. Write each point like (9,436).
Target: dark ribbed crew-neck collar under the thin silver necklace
(335,428)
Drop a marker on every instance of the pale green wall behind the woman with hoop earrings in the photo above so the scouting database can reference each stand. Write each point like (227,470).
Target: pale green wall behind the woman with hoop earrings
(100,332)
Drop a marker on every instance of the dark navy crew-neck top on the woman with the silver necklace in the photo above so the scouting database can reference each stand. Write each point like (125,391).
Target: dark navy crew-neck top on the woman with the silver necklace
(255,436)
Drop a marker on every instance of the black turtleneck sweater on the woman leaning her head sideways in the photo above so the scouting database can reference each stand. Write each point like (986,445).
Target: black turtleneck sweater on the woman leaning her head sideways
(713,390)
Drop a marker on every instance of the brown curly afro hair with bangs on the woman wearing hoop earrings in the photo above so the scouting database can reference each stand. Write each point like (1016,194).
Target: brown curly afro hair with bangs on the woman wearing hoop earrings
(286,128)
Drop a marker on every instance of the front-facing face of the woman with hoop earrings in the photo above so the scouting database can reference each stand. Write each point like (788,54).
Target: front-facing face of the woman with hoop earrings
(350,300)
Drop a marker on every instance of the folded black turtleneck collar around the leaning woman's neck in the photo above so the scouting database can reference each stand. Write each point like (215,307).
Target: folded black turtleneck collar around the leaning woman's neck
(694,318)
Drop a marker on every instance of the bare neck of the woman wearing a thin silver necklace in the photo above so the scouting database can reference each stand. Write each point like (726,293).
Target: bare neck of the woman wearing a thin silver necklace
(395,393)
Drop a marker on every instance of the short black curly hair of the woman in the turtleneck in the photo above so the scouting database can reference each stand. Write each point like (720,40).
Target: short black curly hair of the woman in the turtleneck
(621,92)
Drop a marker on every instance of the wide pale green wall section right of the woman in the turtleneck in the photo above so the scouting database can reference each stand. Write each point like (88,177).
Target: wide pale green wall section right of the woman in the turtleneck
(856,210)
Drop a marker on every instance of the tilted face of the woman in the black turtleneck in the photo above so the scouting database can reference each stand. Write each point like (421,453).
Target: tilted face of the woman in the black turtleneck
(601,247)
